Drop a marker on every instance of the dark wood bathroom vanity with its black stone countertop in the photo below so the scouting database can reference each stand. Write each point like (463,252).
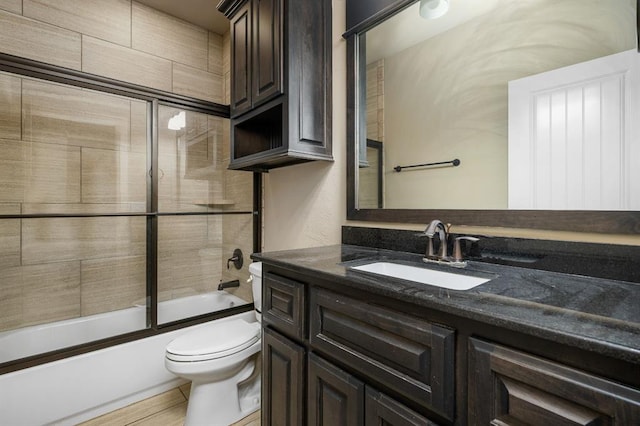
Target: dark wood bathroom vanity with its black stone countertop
(347,347)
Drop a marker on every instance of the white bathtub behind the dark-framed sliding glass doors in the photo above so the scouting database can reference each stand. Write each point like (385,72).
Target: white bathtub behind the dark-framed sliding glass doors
(79,388)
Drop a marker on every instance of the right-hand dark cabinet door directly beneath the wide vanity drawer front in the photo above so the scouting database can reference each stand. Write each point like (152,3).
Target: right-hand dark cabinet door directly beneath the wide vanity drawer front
(382,410)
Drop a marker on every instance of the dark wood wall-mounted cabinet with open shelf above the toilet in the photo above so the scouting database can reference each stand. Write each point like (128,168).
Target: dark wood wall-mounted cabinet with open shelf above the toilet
(280,82)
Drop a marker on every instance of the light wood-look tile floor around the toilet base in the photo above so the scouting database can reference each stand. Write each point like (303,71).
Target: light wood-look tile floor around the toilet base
(166,409)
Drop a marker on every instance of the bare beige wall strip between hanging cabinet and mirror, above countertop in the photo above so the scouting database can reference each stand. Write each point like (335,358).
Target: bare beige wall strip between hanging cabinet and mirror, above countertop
(305,204)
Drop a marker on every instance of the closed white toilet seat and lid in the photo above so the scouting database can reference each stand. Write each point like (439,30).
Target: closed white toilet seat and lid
(214,341)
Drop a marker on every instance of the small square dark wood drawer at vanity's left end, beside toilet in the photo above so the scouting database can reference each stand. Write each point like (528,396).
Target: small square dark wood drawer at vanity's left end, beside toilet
(283,305)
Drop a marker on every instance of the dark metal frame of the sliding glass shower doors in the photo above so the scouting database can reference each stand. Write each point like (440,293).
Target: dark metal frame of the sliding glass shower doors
(30,68)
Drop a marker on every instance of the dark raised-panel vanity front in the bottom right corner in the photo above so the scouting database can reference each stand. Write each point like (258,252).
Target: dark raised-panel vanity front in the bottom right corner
(508,387)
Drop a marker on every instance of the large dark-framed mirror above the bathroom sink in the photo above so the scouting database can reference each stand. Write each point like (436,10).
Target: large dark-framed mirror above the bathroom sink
(532,97)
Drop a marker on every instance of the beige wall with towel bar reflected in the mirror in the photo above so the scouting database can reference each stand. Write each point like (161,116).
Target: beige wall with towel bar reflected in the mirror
(454,105)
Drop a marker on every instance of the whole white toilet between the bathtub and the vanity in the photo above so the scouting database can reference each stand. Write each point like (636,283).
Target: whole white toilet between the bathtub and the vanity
(222,360)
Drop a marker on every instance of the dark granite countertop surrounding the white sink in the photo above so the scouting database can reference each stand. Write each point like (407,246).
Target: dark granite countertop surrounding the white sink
(594,314)
